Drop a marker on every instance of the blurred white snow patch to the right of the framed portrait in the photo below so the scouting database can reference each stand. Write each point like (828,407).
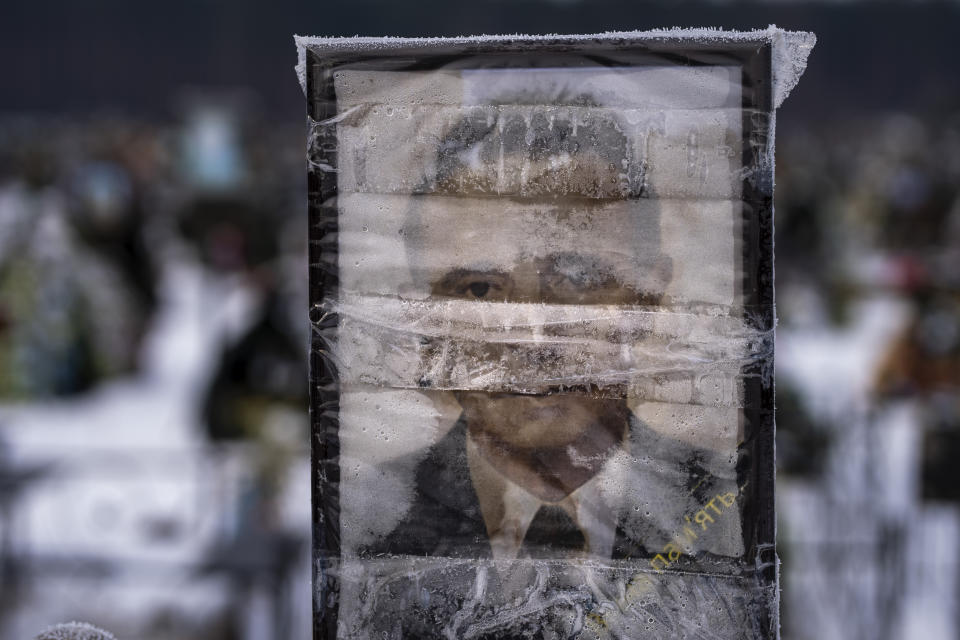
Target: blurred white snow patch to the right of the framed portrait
(866,558)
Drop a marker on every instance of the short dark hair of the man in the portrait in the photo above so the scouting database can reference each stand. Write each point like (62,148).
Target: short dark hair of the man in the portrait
(574,150)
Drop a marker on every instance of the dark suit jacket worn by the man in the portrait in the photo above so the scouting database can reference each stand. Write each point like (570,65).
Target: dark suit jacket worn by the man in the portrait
(433,576)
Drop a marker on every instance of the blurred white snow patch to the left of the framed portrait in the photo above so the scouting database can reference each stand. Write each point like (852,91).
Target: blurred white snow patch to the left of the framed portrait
(133,482)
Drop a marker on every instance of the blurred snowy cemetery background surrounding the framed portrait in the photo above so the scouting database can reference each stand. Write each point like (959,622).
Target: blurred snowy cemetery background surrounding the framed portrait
(154,471)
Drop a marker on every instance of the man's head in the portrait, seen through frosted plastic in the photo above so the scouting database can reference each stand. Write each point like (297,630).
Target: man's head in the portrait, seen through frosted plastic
(574,232)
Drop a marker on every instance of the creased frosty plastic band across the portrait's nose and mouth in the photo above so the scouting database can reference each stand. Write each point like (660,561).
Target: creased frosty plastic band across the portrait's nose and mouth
(539,348)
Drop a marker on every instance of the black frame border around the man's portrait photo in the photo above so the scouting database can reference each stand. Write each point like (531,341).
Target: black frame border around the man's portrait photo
(756,468)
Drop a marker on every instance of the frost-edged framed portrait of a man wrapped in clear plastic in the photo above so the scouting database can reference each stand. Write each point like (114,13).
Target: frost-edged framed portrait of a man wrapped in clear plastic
(541,280)
